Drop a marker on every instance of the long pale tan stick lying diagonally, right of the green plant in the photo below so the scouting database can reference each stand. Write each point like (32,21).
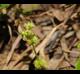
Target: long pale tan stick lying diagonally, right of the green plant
(44,42)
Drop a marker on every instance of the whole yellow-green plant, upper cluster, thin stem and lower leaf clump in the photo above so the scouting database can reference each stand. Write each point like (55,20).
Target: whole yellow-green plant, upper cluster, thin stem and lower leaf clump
(32,40)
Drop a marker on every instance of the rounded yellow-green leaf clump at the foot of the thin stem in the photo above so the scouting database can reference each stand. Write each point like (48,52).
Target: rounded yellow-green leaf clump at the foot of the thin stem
(39,63)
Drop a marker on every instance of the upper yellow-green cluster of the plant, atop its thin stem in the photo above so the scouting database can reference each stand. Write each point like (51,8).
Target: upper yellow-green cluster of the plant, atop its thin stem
(28,35)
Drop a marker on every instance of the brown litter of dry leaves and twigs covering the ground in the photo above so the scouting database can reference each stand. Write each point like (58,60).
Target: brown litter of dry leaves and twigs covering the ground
(57,27)
